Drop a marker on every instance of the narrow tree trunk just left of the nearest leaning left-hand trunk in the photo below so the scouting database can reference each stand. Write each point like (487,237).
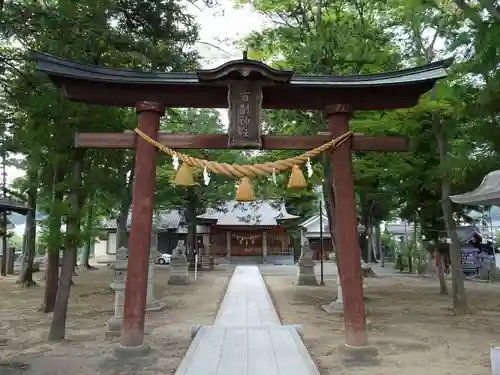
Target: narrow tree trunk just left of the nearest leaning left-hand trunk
(54,242)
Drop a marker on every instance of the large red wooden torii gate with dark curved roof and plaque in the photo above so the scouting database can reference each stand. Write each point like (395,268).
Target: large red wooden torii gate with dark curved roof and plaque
(245,87)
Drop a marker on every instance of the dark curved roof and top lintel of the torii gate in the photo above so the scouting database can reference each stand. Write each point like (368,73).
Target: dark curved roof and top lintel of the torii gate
(282,89)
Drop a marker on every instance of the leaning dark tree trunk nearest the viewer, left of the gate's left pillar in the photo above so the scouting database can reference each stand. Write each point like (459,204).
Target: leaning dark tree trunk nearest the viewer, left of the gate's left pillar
(58,324)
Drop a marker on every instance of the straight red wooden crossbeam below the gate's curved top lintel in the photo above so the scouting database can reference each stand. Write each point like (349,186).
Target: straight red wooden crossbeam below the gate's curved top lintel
(220,141)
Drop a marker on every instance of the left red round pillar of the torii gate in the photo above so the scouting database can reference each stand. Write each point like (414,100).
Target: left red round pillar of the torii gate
(132,335)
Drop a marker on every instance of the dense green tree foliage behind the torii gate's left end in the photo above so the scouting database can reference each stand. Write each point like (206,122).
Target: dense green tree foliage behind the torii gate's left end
(39,122)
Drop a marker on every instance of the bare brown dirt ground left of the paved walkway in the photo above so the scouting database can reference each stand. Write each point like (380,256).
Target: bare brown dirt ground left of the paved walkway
(24,350)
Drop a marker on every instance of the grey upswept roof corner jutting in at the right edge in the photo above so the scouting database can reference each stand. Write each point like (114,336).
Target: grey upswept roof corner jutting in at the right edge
(487,193)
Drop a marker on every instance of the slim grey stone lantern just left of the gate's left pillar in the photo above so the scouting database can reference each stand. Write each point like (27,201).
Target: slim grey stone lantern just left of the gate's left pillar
(118,285)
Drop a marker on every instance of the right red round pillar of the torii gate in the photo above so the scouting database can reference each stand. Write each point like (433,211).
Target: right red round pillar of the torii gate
(349,252)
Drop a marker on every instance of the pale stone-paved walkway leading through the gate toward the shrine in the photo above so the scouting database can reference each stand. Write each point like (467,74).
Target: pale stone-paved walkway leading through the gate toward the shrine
(247,337)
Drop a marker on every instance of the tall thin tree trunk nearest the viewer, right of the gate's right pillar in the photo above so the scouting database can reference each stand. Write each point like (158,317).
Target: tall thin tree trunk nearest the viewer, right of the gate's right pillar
(458,288)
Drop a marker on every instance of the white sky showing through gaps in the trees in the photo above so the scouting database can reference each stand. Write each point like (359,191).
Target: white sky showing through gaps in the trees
(220,27)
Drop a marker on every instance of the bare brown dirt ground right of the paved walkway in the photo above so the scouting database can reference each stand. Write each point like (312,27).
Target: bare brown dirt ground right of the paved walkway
(411,324)
